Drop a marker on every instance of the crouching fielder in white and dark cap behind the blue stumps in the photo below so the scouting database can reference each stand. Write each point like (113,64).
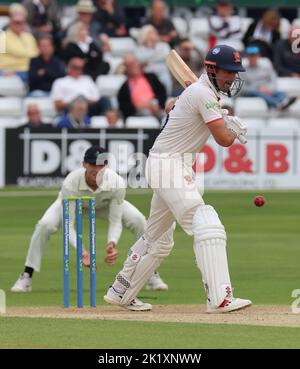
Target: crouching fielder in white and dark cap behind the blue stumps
(109,191)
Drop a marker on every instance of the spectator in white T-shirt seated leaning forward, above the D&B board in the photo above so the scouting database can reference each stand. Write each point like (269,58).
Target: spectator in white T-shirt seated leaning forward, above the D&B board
(74,84)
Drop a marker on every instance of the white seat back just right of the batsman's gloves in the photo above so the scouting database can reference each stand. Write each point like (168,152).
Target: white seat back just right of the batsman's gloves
(251,107)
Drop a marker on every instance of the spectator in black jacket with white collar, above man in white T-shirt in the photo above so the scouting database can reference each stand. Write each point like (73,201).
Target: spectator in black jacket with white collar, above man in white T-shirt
(83,46)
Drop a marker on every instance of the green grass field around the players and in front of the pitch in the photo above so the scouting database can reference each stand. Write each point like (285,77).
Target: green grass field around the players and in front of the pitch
(264,259)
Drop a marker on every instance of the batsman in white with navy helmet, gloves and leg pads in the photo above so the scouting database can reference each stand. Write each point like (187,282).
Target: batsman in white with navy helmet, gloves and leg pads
(195,116)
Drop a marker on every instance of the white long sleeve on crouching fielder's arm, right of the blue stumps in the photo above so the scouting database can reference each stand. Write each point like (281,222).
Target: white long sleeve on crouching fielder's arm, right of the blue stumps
(115,217)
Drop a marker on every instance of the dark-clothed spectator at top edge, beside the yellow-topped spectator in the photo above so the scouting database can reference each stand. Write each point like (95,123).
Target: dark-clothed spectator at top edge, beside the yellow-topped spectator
(43,16)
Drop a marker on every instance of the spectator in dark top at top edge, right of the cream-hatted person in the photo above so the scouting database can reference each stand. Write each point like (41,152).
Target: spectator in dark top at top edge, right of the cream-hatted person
(111,18)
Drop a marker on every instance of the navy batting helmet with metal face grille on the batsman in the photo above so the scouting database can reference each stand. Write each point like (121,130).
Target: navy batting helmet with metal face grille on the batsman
(227,58)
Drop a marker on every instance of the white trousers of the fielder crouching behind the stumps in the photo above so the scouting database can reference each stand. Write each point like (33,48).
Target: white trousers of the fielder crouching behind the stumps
(50,222)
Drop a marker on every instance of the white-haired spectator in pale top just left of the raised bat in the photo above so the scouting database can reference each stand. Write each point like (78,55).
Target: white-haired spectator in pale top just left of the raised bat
(152,54)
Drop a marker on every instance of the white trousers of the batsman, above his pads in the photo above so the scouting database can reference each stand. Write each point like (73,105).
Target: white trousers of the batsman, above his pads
(176,195)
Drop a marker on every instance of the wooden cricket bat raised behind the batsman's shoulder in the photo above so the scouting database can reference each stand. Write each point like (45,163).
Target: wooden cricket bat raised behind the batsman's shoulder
(181,72)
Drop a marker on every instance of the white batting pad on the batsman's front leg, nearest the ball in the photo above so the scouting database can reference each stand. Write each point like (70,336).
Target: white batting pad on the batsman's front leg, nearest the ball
(210,252)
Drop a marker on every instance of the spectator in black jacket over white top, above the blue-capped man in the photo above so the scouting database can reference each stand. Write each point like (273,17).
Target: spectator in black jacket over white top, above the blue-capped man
(264,33)
